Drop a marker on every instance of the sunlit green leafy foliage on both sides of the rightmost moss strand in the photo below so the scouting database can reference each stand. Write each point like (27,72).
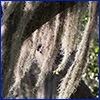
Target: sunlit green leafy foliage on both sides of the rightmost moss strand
(92,74)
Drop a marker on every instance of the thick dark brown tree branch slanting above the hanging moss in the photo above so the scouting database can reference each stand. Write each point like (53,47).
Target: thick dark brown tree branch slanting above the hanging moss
(43,12)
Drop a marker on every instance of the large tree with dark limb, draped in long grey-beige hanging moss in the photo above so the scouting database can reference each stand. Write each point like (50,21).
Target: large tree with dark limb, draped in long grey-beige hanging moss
(37,50)
